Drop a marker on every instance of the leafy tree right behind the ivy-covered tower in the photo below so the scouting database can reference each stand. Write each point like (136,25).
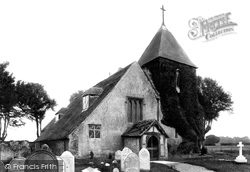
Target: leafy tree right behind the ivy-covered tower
(213,99)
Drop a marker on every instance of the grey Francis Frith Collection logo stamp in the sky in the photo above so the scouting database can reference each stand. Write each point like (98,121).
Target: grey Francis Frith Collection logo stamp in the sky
(211,28)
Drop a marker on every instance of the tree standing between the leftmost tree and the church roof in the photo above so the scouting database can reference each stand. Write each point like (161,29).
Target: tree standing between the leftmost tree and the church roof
(34,102)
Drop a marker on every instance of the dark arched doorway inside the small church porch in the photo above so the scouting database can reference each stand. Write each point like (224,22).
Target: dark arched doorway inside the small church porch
(153,147)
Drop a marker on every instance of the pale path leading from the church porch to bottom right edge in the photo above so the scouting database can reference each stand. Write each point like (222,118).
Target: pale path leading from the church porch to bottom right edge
(183,167)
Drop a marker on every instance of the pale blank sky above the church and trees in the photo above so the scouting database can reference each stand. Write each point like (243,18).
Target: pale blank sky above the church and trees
(72,45)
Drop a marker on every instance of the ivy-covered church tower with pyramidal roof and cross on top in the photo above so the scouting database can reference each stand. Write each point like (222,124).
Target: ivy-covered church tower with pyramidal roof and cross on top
(174,76)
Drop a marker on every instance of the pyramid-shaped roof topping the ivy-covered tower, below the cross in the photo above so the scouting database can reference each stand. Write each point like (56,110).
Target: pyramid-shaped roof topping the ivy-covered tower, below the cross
(164,45)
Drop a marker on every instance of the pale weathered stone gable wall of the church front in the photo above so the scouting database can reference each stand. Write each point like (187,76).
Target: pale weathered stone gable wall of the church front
(112,114)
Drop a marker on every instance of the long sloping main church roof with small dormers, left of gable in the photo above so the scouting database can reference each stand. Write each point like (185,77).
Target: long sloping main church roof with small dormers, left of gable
(74,116)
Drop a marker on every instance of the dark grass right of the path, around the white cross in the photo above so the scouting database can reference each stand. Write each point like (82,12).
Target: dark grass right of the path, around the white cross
(222,162)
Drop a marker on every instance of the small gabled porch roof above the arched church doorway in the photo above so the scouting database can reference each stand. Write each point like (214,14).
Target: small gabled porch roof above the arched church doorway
(139,128)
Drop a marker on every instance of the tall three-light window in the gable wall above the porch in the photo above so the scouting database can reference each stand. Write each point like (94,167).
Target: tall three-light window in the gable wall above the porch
(135,109)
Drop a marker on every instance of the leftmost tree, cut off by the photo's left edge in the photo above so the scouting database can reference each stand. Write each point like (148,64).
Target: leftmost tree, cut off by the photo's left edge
(10,115)
